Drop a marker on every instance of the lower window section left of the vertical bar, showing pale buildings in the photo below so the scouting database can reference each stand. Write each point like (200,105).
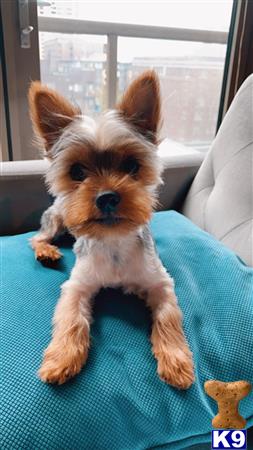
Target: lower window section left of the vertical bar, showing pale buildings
(74,65)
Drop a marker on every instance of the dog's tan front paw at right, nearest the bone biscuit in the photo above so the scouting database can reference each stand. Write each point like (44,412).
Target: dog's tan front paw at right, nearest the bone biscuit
(176,367)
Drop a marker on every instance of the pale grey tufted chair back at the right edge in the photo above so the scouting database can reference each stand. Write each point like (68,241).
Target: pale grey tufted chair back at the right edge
(220,199)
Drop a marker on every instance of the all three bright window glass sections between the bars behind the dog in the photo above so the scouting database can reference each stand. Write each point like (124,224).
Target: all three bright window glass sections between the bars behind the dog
(190,72)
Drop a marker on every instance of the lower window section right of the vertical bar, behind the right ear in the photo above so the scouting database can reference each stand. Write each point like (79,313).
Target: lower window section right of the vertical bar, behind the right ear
(190,75)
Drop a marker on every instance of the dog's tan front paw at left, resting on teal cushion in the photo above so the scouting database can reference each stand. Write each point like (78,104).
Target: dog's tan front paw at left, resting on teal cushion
(61,364)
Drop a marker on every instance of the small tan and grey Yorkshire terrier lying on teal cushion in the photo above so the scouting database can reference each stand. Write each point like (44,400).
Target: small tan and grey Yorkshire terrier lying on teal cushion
(104,176)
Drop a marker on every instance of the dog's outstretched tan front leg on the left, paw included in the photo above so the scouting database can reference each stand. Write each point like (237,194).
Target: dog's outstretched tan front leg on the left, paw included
(68,350)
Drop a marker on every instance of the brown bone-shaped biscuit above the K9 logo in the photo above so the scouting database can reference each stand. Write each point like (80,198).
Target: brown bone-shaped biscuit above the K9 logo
(228,396)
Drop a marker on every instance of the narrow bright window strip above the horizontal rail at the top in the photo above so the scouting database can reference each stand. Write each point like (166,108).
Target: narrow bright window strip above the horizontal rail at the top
(198,14)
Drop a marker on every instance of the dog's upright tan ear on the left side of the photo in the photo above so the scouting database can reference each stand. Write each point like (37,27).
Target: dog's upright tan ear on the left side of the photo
(50,113)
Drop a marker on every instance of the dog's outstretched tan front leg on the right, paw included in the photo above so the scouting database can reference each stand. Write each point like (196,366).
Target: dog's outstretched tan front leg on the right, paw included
(175,364)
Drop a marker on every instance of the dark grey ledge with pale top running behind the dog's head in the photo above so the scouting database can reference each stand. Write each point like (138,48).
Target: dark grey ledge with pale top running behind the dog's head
(23,196)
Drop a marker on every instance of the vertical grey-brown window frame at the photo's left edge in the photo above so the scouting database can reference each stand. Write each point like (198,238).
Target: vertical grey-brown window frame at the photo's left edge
(18,72)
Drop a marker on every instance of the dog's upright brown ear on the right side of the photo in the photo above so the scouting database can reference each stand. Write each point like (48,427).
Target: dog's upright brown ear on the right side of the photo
(141,104)
